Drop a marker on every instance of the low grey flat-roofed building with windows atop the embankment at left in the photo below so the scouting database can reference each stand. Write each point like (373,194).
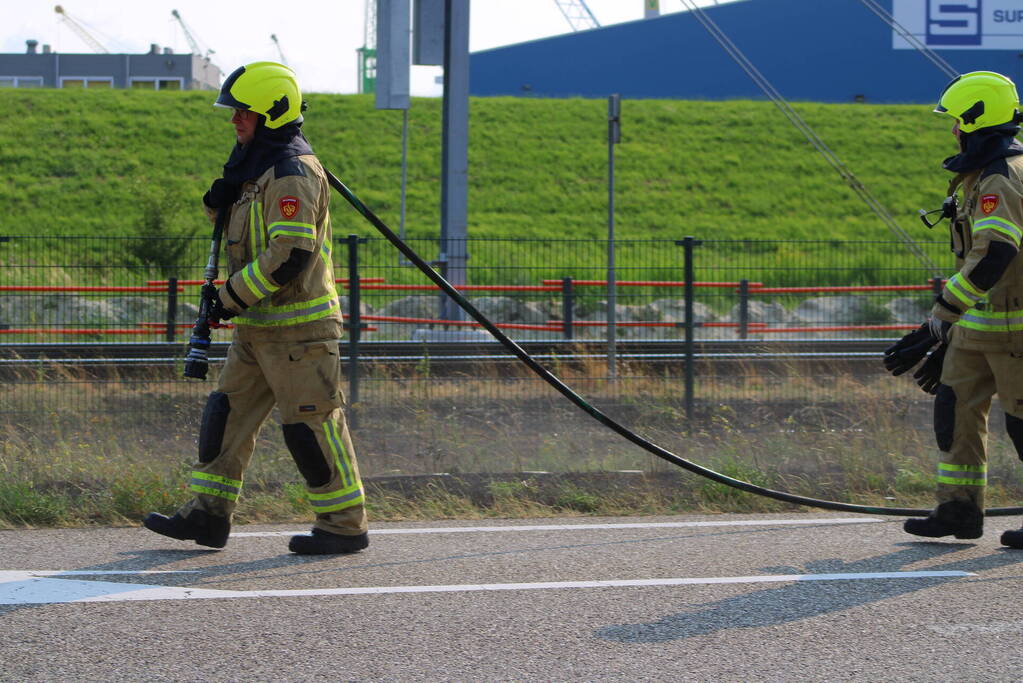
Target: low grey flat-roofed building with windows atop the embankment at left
(157,70)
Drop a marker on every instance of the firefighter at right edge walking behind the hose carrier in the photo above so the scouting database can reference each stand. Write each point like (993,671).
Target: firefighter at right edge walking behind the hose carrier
(978,316)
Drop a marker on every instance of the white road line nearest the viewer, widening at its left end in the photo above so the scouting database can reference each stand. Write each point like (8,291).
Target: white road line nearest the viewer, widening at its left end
(35,588)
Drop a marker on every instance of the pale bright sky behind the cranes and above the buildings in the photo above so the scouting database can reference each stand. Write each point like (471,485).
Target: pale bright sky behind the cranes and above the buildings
(319,38)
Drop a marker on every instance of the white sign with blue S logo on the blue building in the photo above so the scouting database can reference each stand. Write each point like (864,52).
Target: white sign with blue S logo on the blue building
(960,25)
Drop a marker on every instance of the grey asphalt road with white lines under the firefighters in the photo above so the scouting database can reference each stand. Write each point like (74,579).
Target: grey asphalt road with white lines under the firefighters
(781,598)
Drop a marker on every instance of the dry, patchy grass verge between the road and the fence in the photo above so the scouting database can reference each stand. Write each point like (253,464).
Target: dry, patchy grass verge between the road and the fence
(112,468)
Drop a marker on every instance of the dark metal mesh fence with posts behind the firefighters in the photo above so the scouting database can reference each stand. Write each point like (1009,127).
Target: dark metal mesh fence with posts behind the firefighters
(696,323)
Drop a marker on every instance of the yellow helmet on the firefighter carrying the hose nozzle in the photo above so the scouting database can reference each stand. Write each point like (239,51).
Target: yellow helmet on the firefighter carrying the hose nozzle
(266,88)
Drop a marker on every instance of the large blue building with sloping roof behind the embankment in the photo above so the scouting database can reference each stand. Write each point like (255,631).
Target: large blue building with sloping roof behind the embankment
(815,51)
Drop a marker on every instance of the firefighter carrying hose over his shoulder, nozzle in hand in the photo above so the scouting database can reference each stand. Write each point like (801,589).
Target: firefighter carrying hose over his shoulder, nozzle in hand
(282,298)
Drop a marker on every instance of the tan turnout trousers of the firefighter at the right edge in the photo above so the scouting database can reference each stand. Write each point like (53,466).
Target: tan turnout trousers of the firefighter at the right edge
(970,379)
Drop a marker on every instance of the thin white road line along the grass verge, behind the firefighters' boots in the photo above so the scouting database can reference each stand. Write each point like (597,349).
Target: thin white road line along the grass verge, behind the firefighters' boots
(562,528)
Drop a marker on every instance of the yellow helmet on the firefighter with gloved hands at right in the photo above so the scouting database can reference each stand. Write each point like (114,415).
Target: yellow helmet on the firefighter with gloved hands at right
(981,100)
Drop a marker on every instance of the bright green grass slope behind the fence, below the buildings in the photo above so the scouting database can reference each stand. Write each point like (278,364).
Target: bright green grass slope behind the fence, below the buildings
(98,164)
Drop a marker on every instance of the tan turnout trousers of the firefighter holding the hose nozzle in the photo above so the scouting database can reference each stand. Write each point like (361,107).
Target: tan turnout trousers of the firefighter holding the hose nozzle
(303,381)
